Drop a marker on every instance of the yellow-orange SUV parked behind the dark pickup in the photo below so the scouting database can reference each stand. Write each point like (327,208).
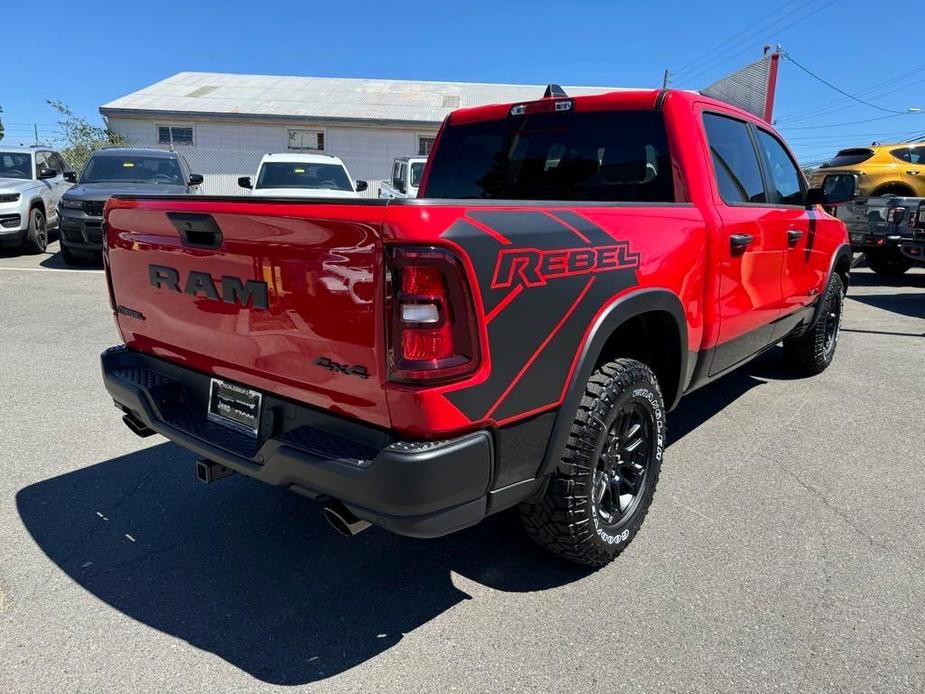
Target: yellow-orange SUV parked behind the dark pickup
(881,169)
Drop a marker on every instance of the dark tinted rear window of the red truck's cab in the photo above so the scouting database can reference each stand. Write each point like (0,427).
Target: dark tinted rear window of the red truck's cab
(610,156)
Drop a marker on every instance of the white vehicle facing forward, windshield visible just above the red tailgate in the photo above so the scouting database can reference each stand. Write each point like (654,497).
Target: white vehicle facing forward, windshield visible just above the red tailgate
(303,176)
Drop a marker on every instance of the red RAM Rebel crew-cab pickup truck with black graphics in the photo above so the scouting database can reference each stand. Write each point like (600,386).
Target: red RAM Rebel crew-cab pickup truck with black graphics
(514,336)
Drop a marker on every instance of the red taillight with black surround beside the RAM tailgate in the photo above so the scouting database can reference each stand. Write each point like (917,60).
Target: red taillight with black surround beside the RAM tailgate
(432,333)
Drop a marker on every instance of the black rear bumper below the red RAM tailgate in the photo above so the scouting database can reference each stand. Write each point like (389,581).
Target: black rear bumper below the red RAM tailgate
(420,489)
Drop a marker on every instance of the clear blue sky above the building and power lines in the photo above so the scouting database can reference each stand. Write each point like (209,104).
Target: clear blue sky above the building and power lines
(92,52)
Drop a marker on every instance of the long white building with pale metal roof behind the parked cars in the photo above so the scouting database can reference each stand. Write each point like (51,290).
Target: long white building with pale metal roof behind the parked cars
(224,123)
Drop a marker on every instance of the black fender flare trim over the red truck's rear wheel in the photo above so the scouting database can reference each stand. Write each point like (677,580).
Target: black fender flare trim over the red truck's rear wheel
(622,310)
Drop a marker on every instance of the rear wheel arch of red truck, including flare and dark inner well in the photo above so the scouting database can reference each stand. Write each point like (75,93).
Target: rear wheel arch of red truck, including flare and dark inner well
(660,315)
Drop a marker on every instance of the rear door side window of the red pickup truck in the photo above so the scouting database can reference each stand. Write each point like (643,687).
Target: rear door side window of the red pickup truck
(735,162)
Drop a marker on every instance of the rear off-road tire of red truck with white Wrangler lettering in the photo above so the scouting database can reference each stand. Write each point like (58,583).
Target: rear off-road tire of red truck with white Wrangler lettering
(567,520)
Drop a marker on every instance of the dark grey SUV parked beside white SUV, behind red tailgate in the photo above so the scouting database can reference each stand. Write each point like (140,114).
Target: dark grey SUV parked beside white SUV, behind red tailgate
(108,172)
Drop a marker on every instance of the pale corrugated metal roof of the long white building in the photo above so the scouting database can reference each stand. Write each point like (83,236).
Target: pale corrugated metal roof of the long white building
(323,98)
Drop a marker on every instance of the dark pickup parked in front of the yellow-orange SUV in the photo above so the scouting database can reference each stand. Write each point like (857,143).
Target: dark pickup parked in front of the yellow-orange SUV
(877,227)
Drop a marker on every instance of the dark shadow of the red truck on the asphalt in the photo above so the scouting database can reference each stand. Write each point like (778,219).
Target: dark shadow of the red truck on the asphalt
(253,573)
